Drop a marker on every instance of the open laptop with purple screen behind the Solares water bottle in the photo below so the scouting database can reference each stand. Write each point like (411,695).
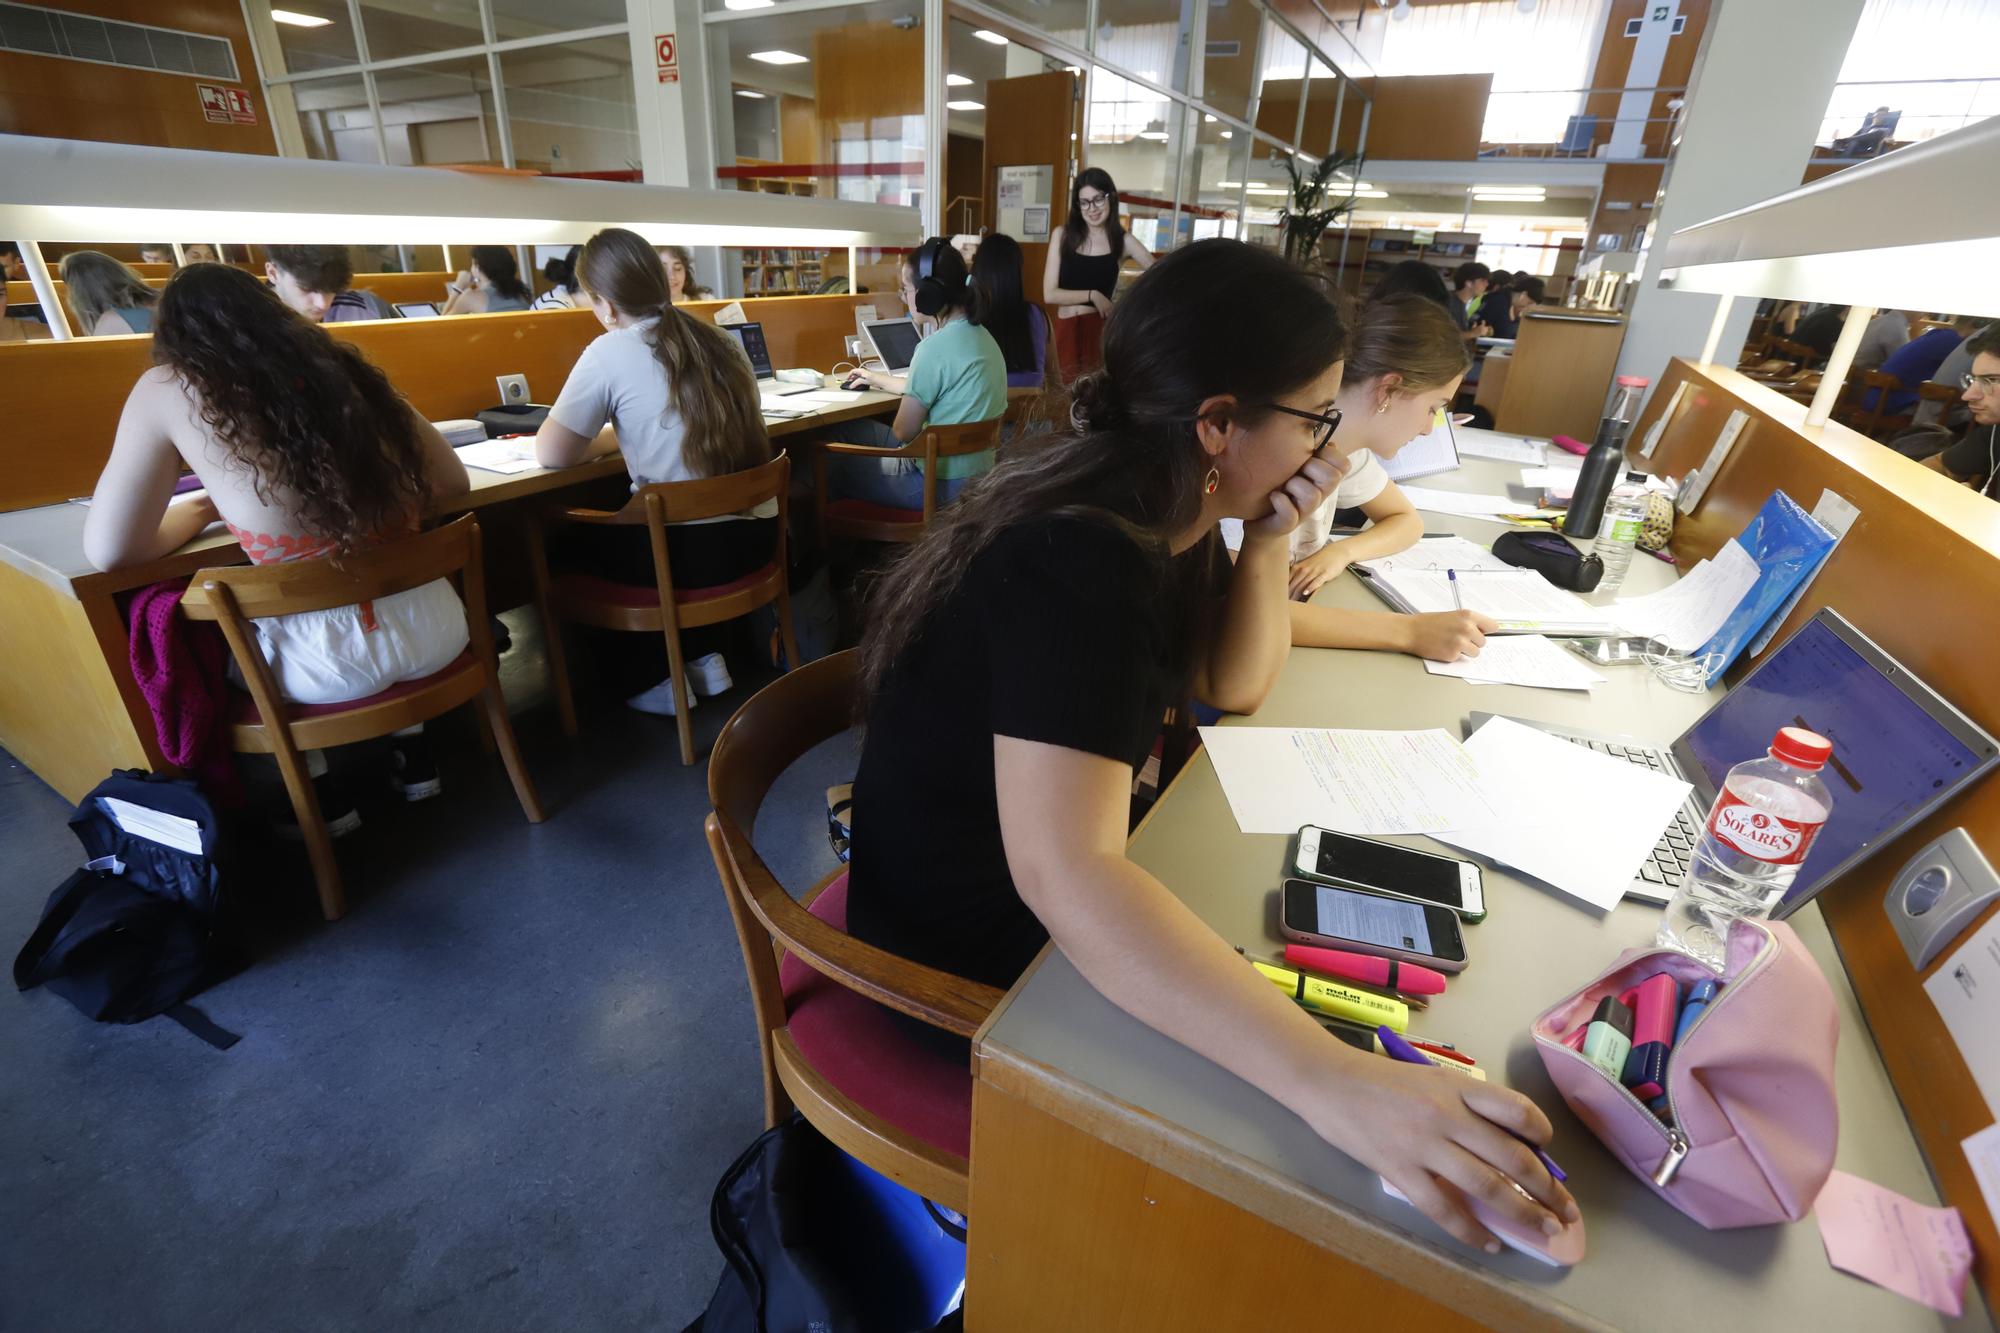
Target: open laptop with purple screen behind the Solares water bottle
(1899,752)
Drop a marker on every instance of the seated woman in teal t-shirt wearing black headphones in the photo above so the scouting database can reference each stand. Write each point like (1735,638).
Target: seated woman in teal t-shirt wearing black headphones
(957,377)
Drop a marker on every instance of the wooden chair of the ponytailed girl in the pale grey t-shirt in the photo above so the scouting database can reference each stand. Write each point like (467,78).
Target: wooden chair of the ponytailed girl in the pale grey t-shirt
(663,607)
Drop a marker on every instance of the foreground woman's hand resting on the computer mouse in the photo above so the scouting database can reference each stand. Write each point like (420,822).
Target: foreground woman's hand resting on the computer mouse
(1439,1138)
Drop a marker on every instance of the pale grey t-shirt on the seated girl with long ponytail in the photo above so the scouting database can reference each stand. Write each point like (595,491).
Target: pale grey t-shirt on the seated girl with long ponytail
(621,381)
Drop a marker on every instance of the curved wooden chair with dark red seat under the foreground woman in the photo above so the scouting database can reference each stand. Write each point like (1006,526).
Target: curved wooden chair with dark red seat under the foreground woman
(831,1048)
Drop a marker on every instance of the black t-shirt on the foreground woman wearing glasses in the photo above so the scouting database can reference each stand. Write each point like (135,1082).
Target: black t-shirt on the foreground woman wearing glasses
(1063,631)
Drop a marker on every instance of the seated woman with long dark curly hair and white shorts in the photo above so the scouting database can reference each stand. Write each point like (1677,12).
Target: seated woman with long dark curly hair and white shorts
(305,451)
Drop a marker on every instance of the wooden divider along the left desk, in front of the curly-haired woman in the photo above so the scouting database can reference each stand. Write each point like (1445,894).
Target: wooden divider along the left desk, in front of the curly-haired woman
(65,397)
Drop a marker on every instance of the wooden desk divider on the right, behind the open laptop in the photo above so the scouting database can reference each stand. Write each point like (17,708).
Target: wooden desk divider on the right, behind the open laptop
(1921,575)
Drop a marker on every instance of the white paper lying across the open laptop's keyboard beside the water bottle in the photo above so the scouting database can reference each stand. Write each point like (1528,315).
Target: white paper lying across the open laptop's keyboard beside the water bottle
(1591,842)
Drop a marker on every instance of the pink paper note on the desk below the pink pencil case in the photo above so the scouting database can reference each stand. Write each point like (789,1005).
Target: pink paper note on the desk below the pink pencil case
(1893,1242)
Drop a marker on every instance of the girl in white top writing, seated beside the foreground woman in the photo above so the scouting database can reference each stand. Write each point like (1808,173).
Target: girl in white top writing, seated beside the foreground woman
(1405,363)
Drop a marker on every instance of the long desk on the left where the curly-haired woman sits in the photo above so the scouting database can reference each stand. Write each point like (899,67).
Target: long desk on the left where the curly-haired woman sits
(69,706)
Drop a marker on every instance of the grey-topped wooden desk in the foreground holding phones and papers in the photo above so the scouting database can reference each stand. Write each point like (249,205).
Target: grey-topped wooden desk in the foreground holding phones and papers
(1121,1182)
